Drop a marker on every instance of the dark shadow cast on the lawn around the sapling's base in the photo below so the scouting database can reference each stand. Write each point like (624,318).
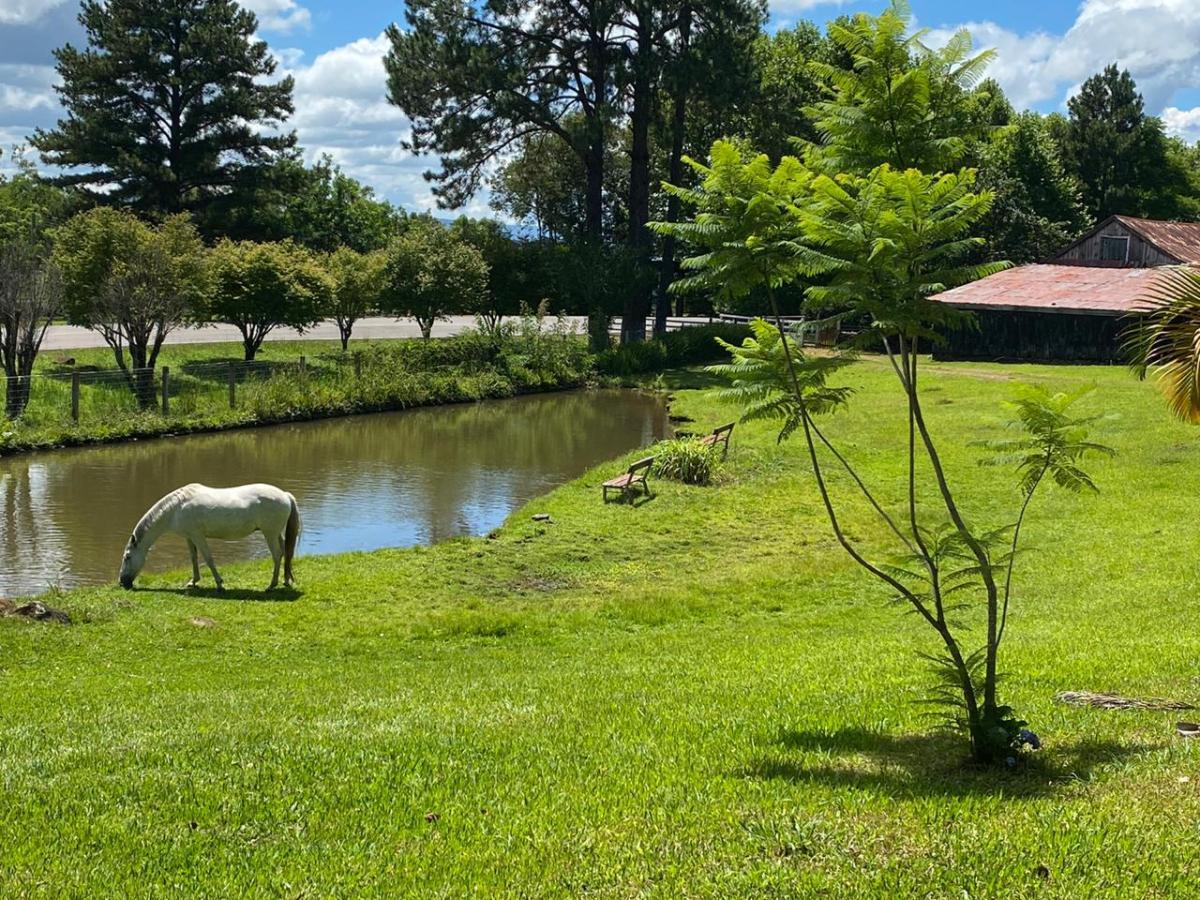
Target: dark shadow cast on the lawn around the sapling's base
(929,765)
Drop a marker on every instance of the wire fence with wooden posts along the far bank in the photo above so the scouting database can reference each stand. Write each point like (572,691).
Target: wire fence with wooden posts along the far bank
(196,389)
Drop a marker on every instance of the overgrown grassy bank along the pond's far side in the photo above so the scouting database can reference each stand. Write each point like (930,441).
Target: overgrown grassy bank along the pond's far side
(385,375)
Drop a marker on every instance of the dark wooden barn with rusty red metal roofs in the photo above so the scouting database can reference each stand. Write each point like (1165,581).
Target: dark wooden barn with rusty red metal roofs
(1073,308)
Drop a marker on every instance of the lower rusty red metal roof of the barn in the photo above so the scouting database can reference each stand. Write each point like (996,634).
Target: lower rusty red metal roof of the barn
(1058,289)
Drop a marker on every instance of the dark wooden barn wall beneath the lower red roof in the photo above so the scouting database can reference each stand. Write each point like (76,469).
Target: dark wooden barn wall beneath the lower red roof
(1030,337)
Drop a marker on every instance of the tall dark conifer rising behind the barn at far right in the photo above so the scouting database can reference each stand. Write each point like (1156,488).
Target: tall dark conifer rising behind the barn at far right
(1118,153)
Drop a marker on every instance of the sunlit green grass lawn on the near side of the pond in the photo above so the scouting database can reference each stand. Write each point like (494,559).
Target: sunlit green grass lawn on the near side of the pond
(694,697)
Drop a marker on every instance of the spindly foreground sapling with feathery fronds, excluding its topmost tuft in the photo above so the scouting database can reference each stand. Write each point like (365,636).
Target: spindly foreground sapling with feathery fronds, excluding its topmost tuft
(885,243)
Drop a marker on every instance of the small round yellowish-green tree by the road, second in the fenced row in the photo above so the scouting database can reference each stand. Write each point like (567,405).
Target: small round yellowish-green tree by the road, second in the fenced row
(260,287)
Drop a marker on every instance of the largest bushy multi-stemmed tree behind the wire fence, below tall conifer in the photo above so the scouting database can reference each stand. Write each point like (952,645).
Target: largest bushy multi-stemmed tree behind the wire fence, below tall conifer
(133,285)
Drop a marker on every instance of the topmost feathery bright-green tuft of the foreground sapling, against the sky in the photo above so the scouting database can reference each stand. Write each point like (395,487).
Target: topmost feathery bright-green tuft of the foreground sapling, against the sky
(892,100)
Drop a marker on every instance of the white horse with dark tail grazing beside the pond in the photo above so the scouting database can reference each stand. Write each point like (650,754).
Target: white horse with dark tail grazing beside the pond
(199,513)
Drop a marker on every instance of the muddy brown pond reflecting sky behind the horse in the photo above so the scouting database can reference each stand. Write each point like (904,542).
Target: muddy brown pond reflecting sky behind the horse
(363,483)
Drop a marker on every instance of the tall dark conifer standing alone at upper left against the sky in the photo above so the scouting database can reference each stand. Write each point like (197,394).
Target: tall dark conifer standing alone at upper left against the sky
(169,106)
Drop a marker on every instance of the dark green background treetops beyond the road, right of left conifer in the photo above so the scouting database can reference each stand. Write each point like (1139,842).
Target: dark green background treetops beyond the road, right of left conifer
(319,207)
